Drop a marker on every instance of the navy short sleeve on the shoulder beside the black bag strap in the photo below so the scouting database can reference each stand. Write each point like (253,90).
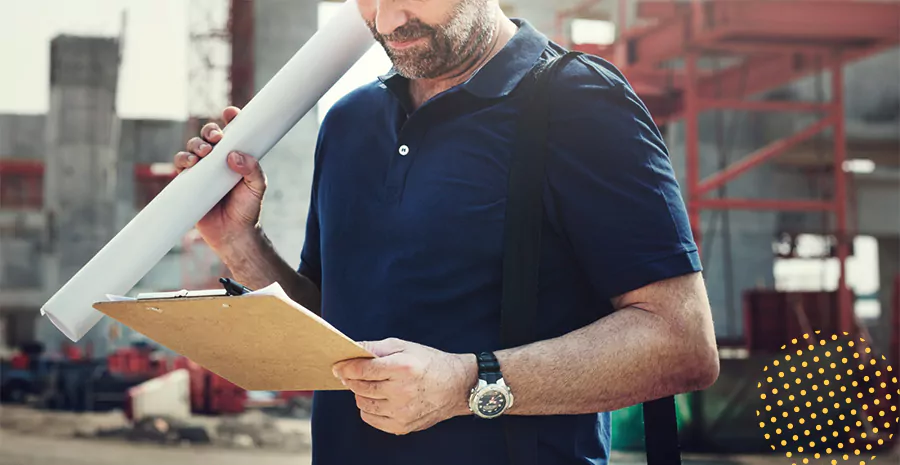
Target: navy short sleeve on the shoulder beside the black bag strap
(612,191)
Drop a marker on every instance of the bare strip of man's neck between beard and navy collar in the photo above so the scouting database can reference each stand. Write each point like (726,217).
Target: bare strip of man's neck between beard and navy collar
(422,90)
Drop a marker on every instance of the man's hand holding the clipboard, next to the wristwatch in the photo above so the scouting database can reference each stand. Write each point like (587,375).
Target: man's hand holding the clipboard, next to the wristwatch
(409,387)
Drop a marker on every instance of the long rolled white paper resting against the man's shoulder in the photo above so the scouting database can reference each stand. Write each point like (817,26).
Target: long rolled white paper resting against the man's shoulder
(147,238)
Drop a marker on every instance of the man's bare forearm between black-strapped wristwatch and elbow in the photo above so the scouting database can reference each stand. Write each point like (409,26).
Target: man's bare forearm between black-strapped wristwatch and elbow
(624,359)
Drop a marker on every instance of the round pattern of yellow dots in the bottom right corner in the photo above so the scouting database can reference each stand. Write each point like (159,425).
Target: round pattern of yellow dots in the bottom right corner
(834,386)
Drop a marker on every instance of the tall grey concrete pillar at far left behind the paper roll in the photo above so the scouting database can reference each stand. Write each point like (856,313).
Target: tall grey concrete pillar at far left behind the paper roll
(82,140)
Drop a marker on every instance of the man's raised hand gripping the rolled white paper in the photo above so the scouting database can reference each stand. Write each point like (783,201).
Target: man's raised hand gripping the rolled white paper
(238,212)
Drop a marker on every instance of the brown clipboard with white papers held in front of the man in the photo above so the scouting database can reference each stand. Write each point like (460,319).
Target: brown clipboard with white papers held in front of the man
(262,341)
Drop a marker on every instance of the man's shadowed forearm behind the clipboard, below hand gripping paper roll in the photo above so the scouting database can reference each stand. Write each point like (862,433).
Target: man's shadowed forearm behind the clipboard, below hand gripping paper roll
(255,263)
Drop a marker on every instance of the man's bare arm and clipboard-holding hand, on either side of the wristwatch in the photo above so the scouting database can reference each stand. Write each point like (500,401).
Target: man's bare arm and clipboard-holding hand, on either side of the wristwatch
(659,342)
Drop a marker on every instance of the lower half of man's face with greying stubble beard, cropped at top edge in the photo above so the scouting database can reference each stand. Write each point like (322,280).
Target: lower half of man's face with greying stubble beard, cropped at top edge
(428,38)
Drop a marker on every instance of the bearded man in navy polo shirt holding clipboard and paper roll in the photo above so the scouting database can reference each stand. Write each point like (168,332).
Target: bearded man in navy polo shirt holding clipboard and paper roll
(405,238)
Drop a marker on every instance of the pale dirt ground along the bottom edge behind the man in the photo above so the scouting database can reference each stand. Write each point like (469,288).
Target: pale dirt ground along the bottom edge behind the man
(31,437)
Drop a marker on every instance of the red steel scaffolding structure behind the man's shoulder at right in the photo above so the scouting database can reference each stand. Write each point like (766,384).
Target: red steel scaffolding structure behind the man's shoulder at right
(773,42)
